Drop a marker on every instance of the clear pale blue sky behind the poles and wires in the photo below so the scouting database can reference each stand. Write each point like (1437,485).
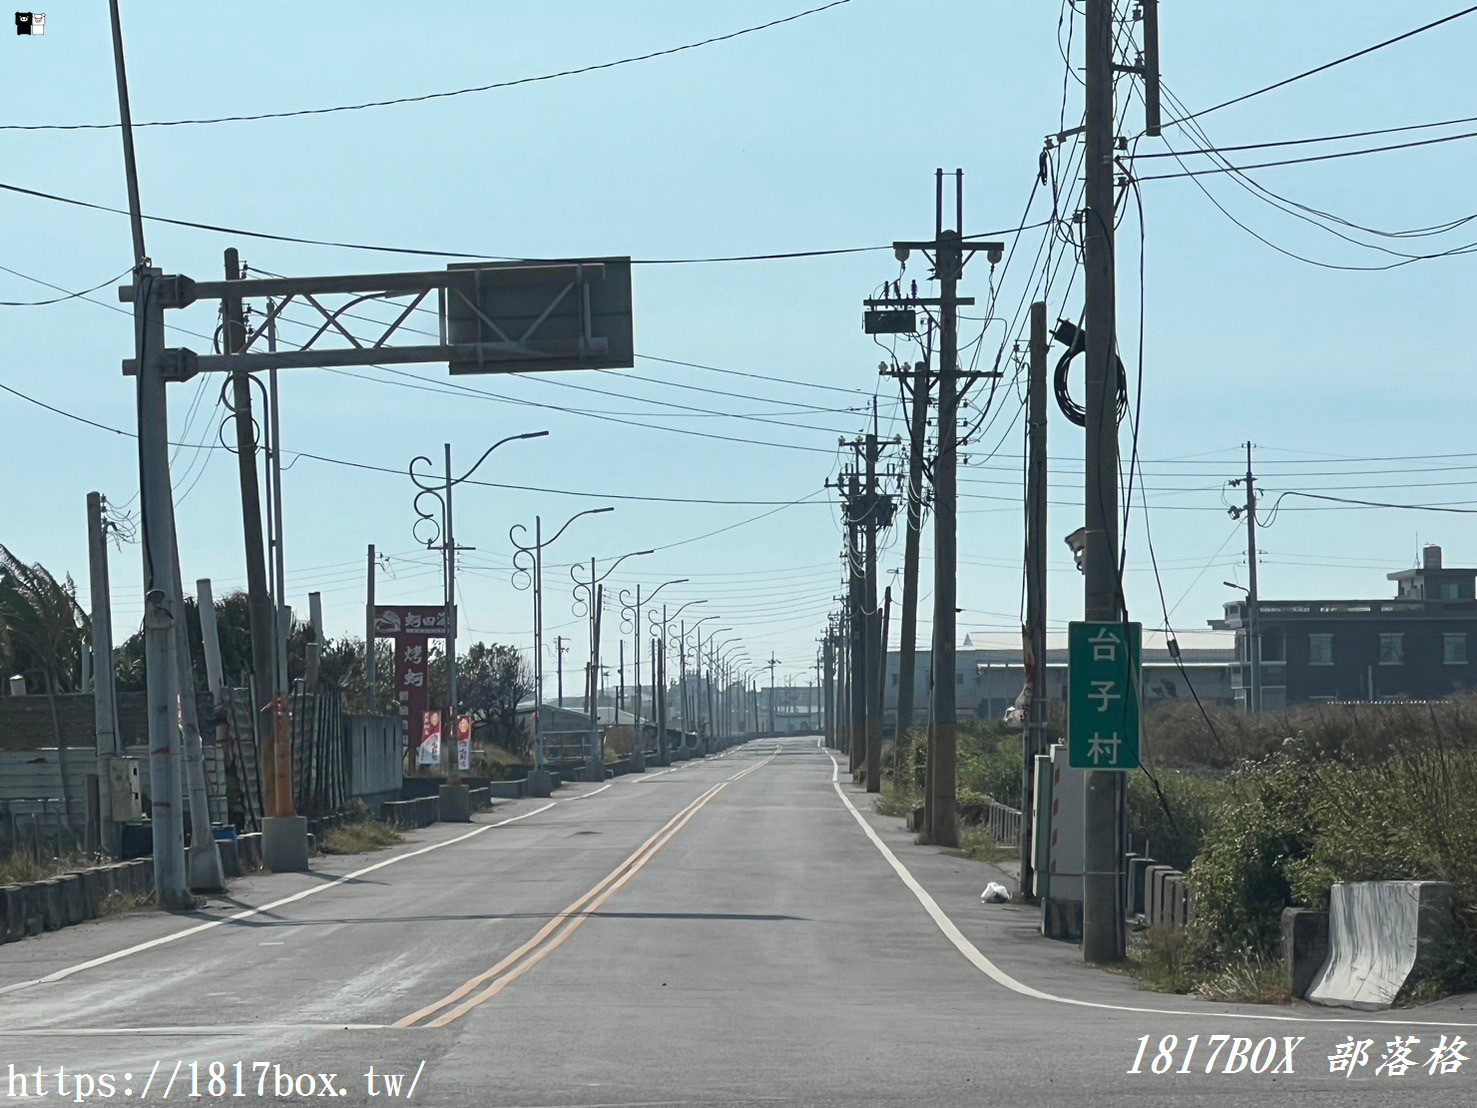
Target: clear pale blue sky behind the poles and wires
(820,134)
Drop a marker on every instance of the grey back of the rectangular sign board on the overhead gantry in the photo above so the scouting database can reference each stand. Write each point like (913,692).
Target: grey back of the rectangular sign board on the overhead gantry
(518,317)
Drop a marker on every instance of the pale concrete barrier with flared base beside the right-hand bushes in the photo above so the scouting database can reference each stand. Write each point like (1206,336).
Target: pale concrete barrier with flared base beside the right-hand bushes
(1382,934)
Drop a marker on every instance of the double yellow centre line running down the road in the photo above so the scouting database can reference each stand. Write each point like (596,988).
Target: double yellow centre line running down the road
(553,934)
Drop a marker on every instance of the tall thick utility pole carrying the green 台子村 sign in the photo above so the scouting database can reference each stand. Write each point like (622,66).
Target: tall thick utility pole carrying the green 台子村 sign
(1103,914)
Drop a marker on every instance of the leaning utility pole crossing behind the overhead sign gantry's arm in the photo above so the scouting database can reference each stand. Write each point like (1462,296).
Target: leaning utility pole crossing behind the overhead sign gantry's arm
(259,596)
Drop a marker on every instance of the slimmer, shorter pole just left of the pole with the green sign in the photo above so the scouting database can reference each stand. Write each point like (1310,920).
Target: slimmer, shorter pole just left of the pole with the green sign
(1035,739)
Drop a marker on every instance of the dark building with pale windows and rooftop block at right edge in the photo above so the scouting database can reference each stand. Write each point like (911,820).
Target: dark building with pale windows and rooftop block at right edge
(1419,646)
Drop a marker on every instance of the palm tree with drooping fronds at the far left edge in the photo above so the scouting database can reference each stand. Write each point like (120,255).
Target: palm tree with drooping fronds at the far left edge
(42,635)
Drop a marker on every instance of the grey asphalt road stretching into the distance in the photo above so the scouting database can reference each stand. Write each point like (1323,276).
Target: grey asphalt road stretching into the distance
(741,930)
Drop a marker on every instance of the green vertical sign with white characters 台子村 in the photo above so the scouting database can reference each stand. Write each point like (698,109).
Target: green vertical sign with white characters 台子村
(1104,679)
